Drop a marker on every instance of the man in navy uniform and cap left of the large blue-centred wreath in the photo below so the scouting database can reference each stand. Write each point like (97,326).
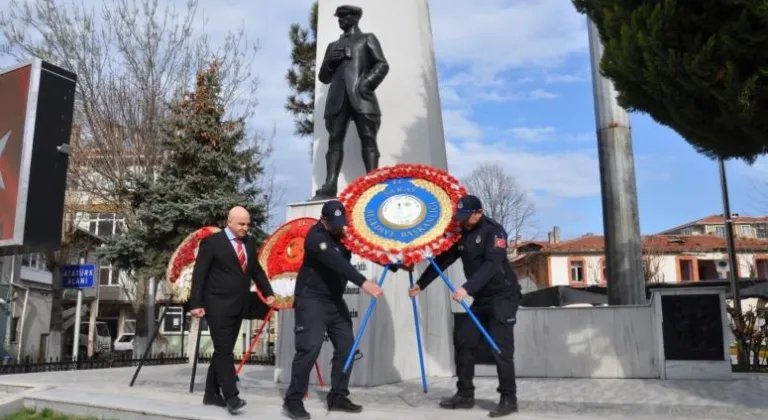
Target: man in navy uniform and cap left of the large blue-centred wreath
(319,308)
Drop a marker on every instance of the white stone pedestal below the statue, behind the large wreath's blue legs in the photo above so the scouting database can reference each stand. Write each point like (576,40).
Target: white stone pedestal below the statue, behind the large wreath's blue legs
(389,348)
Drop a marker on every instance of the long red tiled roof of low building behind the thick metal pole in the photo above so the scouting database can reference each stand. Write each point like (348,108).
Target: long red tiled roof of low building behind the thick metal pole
(660,243)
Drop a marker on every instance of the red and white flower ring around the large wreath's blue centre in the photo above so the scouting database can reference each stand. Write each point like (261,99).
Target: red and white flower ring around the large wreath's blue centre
(446,185)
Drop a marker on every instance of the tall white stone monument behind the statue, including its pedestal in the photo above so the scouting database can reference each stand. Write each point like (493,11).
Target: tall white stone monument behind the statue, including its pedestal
(411,132)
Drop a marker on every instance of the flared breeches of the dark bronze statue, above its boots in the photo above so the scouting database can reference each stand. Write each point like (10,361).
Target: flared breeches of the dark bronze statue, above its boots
(367,129)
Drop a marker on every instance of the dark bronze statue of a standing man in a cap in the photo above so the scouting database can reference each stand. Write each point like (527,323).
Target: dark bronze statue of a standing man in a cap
(354,66)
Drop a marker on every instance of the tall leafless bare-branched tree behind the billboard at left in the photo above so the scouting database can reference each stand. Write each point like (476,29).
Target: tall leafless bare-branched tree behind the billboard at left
(131,57)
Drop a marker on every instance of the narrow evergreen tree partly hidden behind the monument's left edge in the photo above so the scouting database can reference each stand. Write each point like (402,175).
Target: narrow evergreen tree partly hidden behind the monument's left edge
(301,75)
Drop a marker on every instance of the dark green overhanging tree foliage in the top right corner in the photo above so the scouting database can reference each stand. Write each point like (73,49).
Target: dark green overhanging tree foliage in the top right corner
(698,67)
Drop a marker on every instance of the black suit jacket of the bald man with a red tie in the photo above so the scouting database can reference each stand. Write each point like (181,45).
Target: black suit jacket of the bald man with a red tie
(219,285)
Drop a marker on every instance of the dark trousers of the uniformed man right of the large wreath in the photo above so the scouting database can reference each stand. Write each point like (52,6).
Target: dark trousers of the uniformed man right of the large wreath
(498,315)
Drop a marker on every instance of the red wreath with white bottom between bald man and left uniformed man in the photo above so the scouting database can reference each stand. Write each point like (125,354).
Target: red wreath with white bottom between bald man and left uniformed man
(281,256)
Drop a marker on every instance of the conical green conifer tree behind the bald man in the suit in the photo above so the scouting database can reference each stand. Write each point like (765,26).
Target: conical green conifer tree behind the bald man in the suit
(210,168)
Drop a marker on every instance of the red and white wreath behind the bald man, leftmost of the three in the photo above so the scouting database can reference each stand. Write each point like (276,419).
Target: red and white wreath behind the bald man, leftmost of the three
(182,263)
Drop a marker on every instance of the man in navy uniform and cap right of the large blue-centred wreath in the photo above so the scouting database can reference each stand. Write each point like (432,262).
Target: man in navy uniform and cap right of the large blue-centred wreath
(493,285)
